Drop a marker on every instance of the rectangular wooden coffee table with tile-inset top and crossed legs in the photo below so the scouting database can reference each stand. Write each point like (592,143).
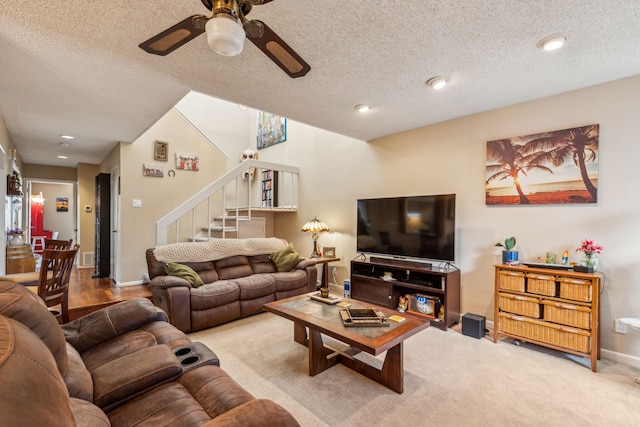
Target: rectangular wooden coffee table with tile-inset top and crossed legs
(320,318)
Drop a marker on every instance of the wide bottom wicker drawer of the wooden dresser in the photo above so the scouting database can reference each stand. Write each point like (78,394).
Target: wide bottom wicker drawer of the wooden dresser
(545,332)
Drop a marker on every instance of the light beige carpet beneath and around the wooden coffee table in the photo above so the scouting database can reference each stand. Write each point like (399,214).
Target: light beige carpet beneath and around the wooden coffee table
(450,380)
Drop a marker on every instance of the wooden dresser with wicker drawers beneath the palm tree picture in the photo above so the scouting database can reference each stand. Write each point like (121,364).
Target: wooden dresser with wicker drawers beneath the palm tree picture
(558,309)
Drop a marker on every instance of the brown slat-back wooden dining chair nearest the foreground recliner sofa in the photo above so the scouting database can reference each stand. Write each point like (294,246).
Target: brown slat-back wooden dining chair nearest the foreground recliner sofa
(53,285)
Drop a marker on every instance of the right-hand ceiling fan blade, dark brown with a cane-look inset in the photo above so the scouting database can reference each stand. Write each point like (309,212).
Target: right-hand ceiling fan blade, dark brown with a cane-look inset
(275,48)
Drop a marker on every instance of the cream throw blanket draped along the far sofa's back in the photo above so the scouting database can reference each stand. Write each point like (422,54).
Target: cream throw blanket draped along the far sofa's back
(216,249)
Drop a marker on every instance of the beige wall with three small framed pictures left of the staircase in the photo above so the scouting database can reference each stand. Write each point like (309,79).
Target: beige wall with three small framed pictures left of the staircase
(159,196)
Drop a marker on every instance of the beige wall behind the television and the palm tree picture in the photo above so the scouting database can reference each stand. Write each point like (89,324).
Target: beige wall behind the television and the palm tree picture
(450,158)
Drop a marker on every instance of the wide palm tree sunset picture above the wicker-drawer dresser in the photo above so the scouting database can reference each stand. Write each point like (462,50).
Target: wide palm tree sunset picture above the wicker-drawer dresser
(556,167)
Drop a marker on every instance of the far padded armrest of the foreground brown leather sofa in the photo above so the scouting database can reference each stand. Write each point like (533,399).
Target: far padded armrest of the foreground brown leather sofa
(109,322)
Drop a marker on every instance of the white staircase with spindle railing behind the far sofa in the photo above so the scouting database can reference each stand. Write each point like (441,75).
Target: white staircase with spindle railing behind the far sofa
(234,205)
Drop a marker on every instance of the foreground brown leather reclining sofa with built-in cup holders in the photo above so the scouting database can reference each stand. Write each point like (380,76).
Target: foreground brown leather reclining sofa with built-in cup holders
(119,366)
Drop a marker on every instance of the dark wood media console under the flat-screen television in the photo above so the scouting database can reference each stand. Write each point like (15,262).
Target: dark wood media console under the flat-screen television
(407,278)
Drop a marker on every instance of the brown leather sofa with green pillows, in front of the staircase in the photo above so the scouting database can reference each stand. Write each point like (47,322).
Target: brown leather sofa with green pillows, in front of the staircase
(234,287)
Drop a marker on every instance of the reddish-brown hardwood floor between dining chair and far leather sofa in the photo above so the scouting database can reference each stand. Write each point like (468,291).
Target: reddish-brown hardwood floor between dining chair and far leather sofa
(87,294)
